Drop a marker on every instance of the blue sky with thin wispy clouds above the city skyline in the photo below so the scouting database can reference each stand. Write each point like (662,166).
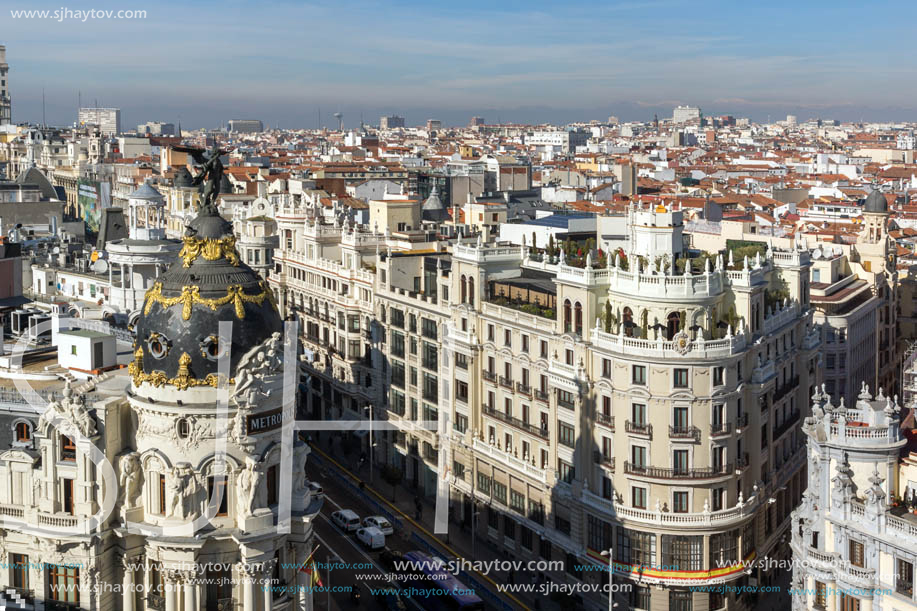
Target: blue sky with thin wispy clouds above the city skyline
(206,62)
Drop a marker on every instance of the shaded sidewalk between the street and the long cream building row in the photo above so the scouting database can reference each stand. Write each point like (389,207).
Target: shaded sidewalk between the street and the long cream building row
(459,538)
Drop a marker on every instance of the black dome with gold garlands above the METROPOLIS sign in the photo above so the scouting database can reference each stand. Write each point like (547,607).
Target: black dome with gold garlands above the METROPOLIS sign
(178,327)
